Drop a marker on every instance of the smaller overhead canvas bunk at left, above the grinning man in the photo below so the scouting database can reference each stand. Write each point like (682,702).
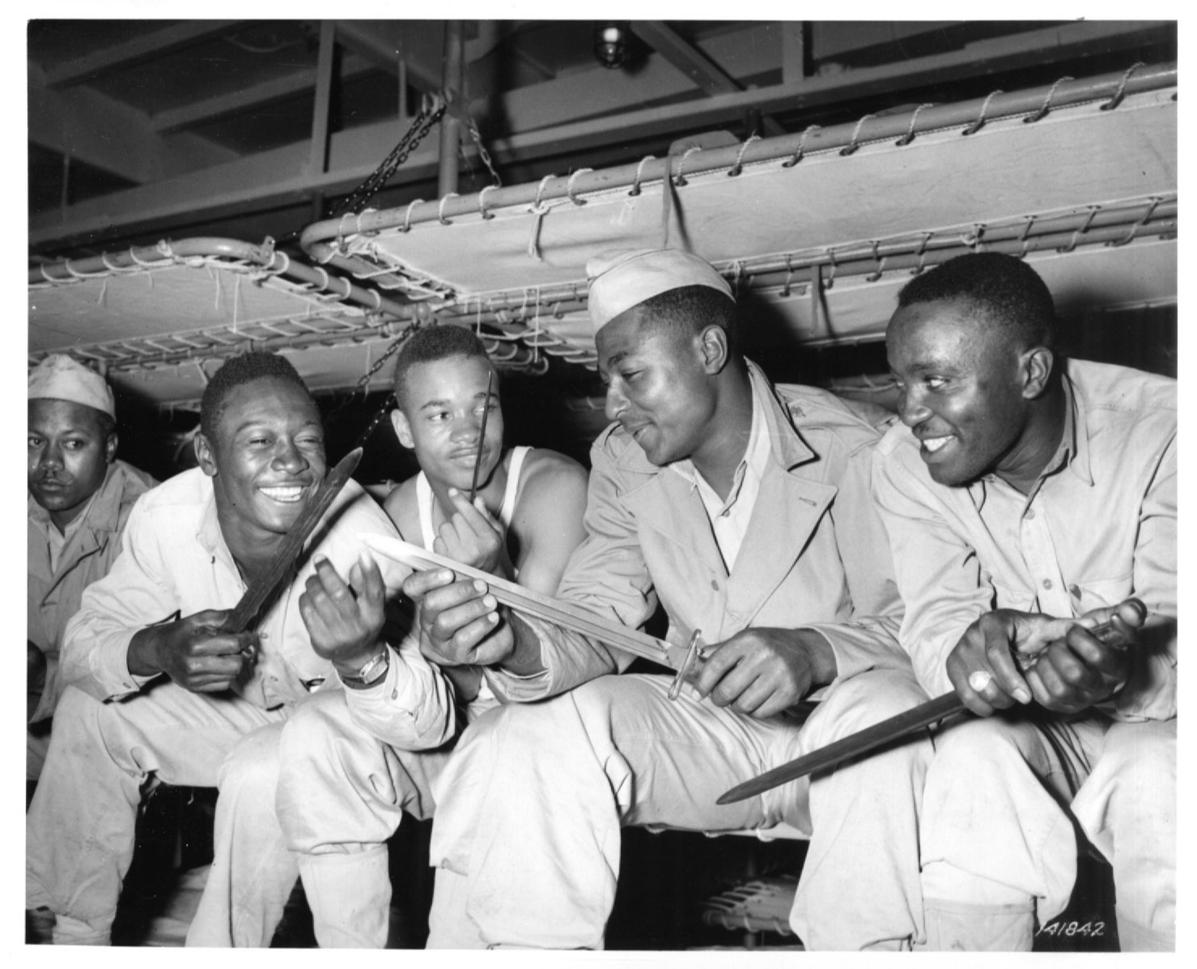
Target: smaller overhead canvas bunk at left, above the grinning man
(159,320)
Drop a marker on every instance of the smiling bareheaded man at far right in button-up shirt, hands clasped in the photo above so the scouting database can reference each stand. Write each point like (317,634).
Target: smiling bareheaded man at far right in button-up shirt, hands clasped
(1025,493)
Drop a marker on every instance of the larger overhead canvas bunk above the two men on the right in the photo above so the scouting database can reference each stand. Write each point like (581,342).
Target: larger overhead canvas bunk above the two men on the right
(825,226)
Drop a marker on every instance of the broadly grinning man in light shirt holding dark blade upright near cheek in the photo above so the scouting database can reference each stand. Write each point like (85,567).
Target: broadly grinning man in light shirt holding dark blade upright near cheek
(156,692)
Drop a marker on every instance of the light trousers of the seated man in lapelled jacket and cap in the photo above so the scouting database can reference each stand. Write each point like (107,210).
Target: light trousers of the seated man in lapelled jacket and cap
(527,837)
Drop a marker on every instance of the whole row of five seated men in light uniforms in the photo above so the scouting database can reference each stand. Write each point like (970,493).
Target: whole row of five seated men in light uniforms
(821,549)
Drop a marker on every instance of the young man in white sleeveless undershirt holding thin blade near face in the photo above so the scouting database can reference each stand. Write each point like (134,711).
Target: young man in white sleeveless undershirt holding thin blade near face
(350,764)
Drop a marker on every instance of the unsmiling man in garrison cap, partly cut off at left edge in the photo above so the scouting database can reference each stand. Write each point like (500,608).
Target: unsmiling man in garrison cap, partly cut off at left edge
(80,497)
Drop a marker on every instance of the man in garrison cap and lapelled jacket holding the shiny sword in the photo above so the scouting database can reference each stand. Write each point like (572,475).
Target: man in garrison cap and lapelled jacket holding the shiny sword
(744,510)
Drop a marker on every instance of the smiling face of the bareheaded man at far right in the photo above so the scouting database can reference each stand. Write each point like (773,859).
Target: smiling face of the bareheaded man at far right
(970,394)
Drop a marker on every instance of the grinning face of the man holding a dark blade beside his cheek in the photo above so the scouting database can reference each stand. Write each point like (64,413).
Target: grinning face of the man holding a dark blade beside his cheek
(266,459)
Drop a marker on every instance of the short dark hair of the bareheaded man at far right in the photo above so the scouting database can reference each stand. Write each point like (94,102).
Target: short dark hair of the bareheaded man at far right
(1005,289)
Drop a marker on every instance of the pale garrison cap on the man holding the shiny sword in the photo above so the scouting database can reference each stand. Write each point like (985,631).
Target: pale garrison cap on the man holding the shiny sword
(625,278)
